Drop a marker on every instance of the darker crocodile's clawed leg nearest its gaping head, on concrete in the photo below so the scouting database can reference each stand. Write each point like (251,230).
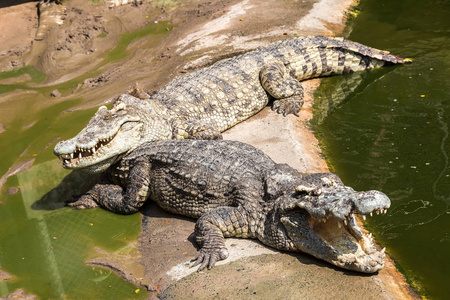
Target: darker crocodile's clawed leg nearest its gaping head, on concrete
(210,231)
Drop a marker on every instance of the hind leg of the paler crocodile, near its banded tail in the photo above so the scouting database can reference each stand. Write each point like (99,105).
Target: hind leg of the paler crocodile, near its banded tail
(288,92)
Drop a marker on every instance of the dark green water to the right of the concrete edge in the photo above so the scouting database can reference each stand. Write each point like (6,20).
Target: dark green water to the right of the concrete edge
(388,130)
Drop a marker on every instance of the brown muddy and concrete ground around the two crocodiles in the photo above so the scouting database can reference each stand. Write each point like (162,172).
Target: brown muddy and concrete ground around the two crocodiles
(198,34)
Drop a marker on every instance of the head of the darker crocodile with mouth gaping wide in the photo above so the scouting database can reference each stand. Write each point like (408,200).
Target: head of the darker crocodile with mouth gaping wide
(320,220)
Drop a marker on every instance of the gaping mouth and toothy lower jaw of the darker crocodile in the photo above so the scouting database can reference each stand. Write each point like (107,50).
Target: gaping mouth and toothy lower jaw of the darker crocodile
(340,242)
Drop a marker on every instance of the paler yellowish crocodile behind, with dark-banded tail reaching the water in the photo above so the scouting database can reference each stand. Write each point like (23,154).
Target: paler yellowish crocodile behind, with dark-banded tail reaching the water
(206,102)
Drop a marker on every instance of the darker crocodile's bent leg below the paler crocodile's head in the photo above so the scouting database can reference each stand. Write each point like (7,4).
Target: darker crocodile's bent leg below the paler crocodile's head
(116,199)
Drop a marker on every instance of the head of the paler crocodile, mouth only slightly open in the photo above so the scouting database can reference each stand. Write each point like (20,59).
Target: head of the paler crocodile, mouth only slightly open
(111,133)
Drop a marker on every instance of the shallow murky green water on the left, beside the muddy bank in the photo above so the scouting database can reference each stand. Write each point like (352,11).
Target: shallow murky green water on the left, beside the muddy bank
(44,245)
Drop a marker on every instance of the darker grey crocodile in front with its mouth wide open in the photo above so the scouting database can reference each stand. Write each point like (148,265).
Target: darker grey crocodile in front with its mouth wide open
(235,190)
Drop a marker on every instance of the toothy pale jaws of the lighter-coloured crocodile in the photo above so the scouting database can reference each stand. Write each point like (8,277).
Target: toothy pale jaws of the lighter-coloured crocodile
(100,153)
